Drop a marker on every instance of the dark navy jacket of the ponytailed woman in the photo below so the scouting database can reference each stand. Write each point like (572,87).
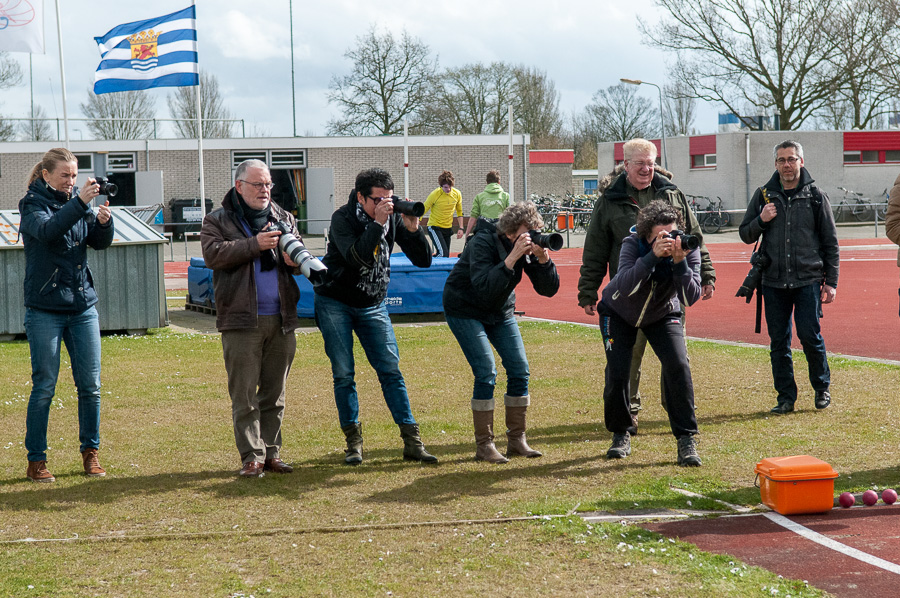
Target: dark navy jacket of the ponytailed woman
(56,232)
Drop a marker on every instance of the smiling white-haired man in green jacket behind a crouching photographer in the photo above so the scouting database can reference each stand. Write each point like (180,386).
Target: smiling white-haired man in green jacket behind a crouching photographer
(624,192)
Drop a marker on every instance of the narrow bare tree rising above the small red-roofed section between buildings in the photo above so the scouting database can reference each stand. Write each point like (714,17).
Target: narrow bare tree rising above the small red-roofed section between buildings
(536,107)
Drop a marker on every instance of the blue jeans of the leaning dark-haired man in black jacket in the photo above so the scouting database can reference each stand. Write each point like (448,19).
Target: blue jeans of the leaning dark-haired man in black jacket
(338,321)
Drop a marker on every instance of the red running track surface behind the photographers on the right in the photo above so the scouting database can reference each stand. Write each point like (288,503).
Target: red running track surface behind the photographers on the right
(862,321)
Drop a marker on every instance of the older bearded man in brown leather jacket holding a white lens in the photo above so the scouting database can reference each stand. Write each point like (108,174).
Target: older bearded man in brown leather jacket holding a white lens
(256,312)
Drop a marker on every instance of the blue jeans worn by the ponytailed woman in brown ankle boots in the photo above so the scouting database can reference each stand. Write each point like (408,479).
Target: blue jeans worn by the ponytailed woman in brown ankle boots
(46,332)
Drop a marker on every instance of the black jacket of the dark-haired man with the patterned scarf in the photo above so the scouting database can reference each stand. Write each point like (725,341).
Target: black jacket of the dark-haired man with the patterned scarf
(358,273)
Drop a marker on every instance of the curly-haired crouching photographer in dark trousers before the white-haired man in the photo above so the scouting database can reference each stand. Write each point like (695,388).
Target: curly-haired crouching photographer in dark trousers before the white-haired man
(657,276)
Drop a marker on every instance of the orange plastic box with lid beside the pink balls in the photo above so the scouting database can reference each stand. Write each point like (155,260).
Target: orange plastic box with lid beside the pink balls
(795,485)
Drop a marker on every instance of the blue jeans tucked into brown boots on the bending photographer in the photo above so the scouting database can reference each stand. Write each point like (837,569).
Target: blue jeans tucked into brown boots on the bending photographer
(475,338)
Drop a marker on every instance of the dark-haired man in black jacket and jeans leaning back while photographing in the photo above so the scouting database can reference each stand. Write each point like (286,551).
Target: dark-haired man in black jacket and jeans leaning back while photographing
(362,235)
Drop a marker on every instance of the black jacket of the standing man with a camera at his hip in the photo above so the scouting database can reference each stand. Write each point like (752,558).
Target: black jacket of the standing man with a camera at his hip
(801,239)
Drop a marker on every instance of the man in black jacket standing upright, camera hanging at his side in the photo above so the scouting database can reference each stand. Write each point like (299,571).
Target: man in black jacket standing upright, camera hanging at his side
(798,235)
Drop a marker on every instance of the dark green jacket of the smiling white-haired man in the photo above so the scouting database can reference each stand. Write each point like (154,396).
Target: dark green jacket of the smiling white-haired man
(615,213)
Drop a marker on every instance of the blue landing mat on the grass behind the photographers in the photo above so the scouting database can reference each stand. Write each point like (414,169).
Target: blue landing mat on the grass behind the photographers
(412,290)
